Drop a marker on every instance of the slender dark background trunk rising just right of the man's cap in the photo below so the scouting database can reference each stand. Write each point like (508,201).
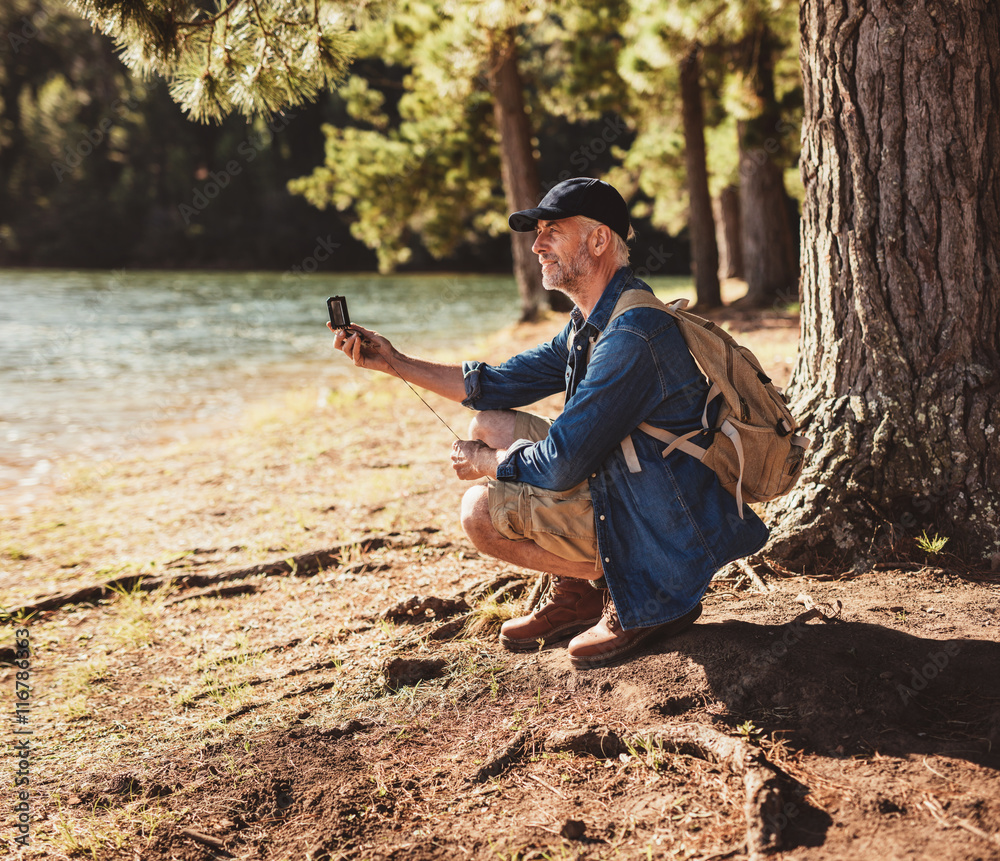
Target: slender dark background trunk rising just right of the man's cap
(704,251)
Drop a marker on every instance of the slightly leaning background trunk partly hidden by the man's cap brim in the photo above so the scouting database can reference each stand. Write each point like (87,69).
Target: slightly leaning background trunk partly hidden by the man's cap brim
(518,170)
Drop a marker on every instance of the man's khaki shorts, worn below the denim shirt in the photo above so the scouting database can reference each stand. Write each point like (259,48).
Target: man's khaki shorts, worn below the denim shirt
(561,522)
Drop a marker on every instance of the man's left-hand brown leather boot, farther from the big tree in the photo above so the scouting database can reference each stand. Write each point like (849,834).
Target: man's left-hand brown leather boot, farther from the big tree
(573,606)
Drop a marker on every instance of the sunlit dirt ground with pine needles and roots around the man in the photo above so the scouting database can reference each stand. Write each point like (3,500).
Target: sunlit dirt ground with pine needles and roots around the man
(274,642)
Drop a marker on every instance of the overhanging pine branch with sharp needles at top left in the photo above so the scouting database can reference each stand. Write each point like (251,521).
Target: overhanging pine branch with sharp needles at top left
(248,56)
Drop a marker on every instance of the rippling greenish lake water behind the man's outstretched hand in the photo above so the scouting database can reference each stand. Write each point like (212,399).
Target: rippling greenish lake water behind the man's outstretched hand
(98,362)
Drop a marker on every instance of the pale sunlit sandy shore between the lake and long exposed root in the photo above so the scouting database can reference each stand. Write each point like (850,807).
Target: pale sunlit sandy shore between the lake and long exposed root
(305,465)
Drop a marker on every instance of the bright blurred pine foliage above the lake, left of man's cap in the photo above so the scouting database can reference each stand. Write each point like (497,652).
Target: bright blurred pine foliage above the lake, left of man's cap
(423,159)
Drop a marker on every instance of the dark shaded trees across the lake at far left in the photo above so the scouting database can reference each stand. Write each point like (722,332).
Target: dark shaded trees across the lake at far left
(99,168)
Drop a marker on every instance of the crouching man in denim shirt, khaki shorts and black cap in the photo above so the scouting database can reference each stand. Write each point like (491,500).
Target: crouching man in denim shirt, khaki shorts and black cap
(631,553)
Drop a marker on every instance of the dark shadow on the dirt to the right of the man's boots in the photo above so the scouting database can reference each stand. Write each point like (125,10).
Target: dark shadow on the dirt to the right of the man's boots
(836,689)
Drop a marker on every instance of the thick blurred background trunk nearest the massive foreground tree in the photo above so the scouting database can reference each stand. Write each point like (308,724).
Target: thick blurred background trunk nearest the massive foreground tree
(769,259)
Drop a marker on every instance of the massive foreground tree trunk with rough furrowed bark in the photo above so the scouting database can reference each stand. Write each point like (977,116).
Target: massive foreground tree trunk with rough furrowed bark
(898,375)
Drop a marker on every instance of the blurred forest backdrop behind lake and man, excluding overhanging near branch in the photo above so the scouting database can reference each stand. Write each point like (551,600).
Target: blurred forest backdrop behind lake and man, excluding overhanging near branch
(102,168)
